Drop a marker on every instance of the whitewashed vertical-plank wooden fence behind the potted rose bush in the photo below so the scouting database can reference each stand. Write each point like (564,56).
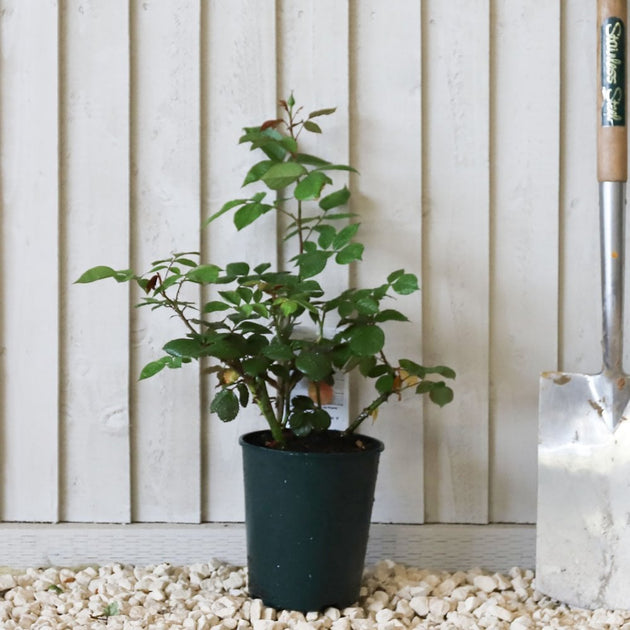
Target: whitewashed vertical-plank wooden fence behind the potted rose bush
(472,124)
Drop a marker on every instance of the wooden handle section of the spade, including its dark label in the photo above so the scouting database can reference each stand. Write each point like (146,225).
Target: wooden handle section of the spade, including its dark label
(612,136)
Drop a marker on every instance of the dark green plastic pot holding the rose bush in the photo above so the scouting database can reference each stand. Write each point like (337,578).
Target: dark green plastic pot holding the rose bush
(307,519)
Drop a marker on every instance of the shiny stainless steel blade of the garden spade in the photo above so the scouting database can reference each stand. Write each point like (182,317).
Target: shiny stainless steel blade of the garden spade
(583,526)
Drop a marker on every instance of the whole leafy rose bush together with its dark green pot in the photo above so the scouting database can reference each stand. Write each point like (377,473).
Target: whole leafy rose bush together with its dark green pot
(309,489)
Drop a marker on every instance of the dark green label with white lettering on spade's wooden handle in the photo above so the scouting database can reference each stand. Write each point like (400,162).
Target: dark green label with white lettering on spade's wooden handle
(613,73)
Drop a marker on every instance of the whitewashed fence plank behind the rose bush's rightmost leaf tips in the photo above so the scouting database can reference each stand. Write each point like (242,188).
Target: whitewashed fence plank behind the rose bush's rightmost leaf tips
(455,242)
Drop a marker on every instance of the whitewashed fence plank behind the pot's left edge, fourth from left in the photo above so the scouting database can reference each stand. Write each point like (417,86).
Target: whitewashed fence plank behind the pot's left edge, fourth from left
(239,79)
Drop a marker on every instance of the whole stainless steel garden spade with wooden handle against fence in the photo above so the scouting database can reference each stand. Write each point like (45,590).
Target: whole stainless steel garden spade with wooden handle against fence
(583,530)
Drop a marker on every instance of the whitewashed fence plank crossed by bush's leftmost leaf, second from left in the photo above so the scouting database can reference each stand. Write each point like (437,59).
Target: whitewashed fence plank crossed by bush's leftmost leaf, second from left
(95,411)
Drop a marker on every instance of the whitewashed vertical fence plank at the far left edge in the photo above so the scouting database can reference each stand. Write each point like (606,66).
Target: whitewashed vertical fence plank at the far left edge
(30,268)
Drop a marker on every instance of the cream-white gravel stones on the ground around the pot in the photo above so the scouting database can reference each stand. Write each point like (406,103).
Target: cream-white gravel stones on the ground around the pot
(213,596)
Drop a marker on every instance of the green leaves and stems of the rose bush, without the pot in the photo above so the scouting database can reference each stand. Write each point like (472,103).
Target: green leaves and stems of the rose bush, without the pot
(251,327)
